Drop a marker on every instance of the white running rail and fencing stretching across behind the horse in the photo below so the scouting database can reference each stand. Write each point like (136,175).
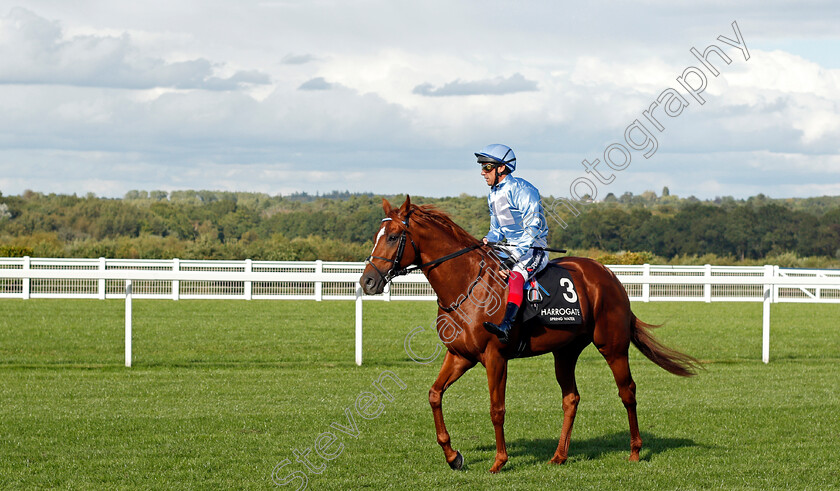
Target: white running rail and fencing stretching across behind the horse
(318,280)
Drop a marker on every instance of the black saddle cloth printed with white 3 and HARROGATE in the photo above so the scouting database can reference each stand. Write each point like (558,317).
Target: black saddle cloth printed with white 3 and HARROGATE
(552,298)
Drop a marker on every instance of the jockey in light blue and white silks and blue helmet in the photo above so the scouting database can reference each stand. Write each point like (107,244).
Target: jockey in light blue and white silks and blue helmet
(516,214)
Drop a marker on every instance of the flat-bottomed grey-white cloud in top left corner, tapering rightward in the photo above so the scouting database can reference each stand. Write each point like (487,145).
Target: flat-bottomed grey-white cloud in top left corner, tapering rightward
(35,51)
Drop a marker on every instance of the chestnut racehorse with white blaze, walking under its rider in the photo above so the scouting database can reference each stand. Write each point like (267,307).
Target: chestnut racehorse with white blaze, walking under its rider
(464,274)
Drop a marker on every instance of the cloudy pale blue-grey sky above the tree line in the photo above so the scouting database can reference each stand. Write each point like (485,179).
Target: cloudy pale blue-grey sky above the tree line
(391,97)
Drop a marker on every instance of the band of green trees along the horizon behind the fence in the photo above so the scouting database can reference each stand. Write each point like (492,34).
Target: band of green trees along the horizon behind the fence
(340,226)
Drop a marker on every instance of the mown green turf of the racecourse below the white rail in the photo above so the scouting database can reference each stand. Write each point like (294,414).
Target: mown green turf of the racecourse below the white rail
(221,392)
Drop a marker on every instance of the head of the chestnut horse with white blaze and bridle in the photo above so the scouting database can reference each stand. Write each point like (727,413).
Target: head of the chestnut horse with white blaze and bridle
(390,256)
